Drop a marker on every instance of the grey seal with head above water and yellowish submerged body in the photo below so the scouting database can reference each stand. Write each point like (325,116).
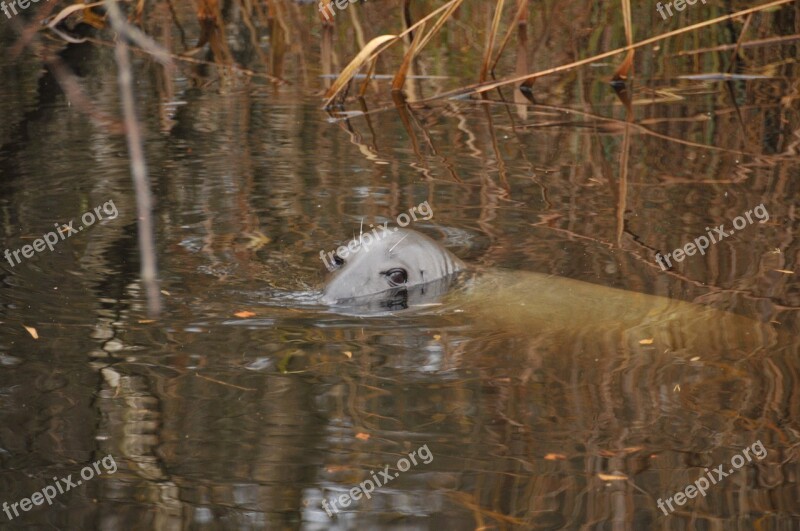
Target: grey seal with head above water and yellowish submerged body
(407,268)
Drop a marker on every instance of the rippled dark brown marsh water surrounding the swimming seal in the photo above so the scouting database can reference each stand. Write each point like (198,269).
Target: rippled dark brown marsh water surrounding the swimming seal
(245,404)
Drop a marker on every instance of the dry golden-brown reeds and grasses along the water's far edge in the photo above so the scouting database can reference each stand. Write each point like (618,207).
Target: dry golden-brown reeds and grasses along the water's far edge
(283,41)
